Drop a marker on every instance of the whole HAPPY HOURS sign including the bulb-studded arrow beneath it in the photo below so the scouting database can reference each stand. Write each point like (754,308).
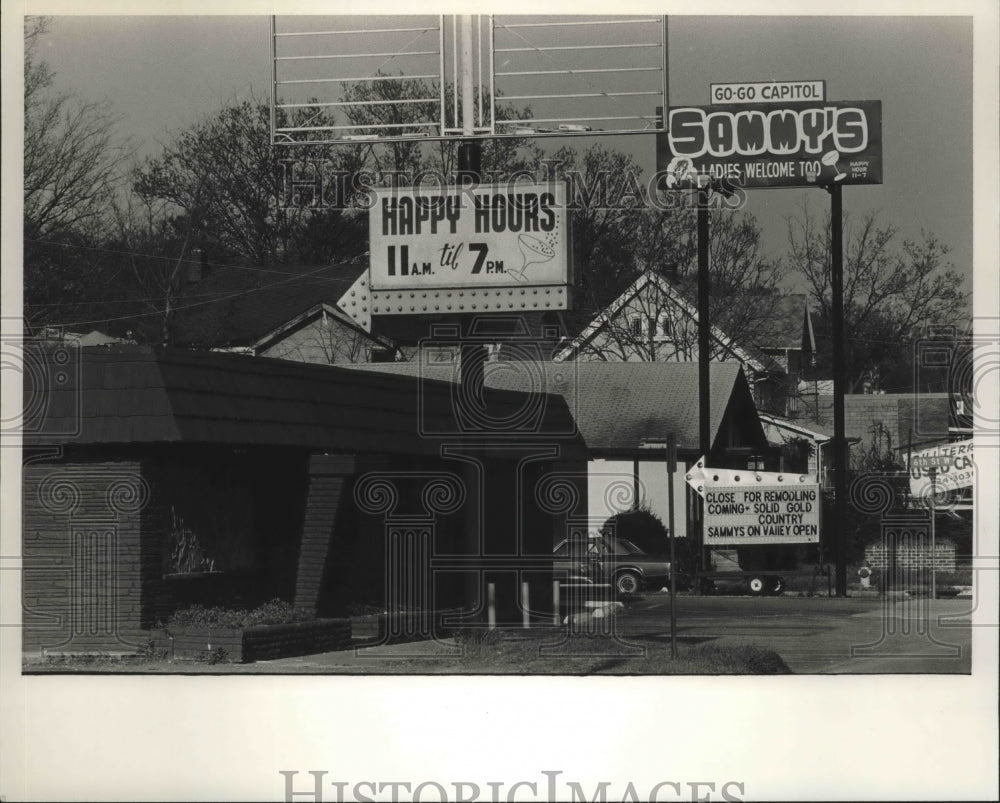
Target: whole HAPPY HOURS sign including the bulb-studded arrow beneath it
(450,250)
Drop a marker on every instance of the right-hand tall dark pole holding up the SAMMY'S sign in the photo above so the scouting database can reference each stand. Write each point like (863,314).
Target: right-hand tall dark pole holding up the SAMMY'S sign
(839,376)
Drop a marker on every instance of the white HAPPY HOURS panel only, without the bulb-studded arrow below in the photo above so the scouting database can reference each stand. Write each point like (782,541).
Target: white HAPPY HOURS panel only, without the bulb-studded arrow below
(491,236)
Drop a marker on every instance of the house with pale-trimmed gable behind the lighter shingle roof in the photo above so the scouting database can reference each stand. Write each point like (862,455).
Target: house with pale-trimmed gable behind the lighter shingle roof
(653,321)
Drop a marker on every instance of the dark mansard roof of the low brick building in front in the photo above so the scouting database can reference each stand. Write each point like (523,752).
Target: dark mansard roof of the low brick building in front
(141,394)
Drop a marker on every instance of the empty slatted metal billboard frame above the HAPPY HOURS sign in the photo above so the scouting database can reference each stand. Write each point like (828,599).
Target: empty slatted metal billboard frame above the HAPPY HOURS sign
(462,64)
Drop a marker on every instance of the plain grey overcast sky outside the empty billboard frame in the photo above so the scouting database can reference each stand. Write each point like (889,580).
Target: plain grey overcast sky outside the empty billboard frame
(164,73)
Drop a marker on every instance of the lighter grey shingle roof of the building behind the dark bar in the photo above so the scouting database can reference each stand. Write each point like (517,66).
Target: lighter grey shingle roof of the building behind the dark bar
(616,405)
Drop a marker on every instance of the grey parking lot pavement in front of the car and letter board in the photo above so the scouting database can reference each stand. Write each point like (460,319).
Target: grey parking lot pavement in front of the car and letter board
(819,634)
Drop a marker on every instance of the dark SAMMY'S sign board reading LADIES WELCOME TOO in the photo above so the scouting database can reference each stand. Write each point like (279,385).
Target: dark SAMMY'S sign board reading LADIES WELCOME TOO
(759,145)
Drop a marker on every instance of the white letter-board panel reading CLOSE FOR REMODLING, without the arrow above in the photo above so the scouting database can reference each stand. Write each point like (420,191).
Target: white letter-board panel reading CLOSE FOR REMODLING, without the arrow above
(762,515)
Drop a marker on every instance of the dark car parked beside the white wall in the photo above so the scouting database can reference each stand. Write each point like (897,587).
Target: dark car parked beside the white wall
(601,558)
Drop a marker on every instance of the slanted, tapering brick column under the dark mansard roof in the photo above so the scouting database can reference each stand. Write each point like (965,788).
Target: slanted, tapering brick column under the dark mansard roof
(329,476)
